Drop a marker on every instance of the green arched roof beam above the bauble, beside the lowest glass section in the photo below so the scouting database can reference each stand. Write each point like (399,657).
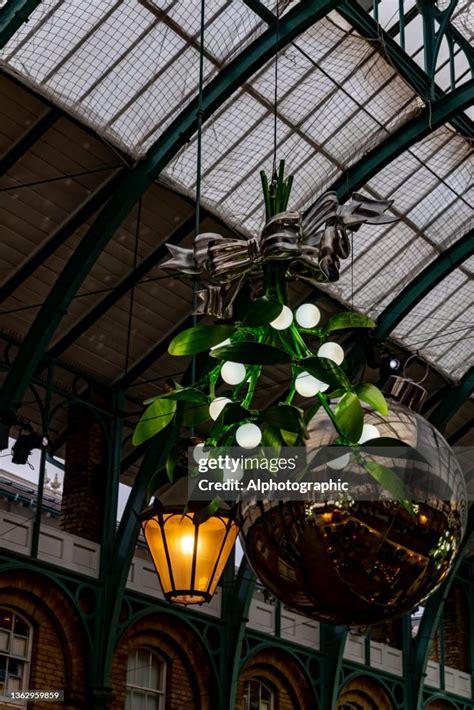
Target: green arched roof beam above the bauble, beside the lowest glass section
(417,289)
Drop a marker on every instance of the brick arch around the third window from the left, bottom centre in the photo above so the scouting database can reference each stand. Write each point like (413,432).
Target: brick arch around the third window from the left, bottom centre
(280,672)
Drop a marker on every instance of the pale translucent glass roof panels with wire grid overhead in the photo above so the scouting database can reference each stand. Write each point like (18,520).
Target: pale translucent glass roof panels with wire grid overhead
(128,68)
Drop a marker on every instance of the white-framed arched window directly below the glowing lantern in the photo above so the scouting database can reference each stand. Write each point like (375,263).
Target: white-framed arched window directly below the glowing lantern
(146,680)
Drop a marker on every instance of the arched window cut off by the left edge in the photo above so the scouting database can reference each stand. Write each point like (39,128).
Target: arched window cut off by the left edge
(15,651)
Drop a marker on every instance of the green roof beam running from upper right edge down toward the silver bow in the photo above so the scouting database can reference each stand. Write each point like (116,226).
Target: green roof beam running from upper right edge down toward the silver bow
(430,117)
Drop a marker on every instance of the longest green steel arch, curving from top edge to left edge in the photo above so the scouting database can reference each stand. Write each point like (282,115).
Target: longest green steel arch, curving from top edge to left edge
(138,180)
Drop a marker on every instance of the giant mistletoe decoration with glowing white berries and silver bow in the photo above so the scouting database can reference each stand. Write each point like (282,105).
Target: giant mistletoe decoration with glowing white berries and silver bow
(268,332)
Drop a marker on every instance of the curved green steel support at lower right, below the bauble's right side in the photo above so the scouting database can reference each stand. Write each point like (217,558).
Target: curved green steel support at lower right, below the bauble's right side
(418,659)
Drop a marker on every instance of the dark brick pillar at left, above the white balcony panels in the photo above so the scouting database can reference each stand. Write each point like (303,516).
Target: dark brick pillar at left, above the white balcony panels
(84,475)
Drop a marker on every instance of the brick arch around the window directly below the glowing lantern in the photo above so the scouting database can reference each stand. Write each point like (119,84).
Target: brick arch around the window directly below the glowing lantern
(188,682)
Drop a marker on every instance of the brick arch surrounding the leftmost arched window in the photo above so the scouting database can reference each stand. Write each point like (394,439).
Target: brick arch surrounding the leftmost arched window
(58,653)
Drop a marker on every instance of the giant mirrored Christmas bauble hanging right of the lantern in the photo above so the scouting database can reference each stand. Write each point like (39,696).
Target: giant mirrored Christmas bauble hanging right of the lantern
(361,562)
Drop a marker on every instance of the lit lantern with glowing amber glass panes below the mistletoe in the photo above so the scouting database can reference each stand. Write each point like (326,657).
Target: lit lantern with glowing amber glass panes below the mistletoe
(189,555)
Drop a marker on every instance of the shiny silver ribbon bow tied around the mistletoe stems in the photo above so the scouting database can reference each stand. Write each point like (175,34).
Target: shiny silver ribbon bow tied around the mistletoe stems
(312,244)
